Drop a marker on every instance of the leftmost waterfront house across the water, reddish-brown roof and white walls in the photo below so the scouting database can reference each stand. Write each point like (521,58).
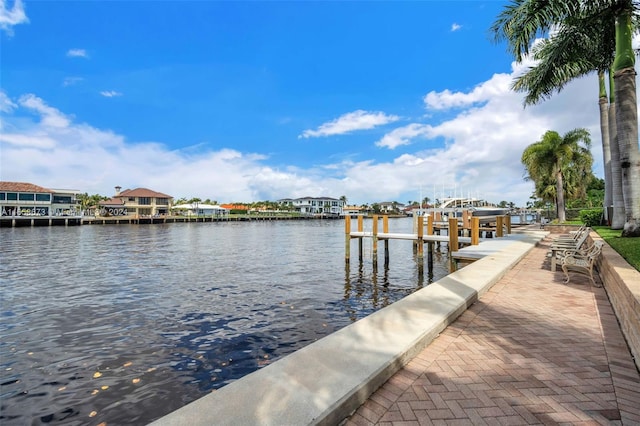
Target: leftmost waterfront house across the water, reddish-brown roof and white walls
(27,199)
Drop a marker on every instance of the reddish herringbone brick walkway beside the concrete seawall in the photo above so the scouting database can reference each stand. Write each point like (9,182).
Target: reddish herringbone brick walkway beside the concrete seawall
(532,350)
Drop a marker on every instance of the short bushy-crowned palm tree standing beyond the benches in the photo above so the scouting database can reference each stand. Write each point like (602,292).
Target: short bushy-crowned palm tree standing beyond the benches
(554,158)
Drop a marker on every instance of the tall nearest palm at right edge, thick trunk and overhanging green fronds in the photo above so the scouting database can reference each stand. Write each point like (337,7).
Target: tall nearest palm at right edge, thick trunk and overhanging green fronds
(523,20)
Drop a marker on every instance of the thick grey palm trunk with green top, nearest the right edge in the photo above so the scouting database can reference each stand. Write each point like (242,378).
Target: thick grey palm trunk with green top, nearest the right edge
(627,124)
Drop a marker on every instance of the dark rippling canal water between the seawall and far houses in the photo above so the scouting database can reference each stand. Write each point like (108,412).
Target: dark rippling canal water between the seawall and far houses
(122,324)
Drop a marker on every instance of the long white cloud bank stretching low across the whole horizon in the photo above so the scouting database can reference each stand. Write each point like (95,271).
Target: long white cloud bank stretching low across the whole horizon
(485,132)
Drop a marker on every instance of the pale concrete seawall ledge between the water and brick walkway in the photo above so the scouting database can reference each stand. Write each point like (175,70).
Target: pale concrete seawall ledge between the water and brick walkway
(326,381)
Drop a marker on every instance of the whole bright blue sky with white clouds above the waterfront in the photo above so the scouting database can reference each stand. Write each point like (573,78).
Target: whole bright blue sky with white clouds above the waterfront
(262,100)
